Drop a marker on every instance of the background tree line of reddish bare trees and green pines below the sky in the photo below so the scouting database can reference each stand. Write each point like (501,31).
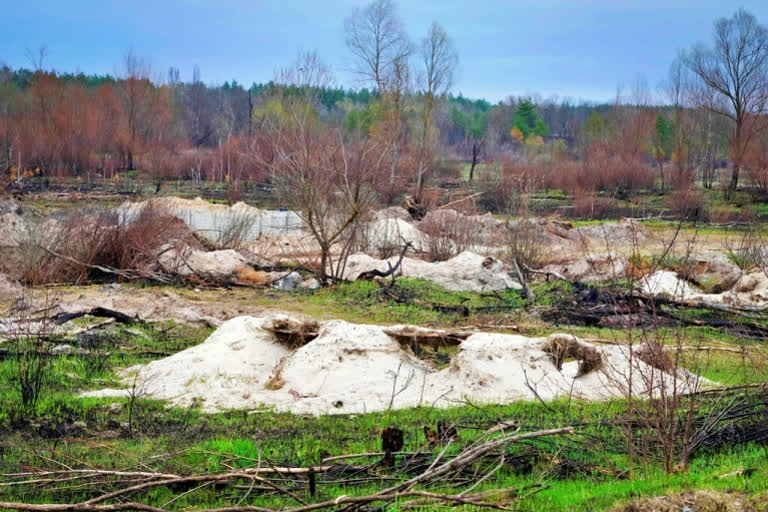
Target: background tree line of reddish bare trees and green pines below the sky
(710,112)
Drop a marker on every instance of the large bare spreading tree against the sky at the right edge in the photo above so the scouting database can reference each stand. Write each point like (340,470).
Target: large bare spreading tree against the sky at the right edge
(736,68)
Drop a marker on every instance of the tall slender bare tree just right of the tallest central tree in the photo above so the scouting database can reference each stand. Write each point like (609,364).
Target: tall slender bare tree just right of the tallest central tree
(439,59)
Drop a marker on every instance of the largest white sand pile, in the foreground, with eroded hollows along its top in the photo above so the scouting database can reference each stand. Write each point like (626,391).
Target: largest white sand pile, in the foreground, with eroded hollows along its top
(351,368)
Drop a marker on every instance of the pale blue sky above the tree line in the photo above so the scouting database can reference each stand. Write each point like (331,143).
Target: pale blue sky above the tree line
(582,49)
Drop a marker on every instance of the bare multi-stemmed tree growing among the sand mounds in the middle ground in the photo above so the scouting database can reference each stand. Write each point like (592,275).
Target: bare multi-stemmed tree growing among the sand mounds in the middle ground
(330,181)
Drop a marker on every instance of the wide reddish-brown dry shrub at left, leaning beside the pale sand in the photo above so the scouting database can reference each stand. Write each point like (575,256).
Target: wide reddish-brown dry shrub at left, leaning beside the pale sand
(131,244)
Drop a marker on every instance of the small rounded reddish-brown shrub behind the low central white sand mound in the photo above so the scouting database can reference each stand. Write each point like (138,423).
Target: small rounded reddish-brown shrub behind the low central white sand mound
(450,233)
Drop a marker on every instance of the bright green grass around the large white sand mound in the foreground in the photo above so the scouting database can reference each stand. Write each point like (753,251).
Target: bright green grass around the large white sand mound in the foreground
(192,442)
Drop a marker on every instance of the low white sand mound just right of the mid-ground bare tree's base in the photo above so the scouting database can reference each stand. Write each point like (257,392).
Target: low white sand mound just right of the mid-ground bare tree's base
(466,272)
